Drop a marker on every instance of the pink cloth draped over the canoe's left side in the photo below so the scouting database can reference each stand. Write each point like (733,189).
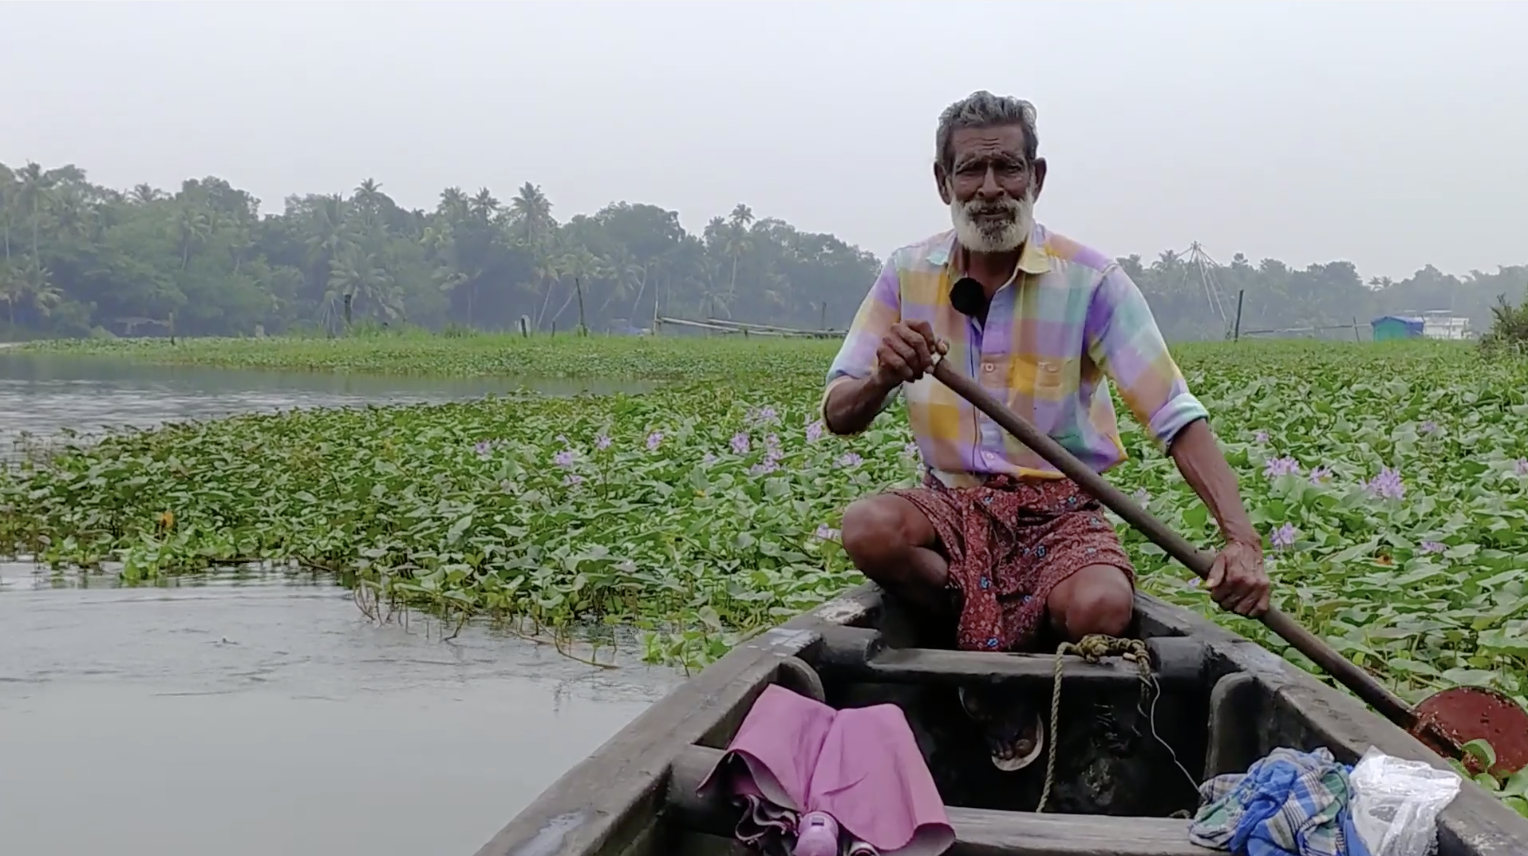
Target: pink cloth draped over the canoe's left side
(795,756)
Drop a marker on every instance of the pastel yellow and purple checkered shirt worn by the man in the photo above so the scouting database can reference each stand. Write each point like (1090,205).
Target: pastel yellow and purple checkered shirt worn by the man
(1069,317)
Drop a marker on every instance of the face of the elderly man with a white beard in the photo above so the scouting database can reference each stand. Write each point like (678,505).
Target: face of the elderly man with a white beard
(991,189)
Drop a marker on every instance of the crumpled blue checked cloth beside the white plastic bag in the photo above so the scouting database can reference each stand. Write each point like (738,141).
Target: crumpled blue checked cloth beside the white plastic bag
(1287,805)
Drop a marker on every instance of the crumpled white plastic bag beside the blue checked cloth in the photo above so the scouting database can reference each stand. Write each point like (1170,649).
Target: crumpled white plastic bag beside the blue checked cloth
(1396,803)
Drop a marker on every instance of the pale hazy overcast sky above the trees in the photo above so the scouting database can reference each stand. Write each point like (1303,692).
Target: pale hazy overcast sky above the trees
(1387,134)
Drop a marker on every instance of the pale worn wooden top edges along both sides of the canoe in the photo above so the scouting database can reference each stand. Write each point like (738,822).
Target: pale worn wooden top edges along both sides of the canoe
(618,794)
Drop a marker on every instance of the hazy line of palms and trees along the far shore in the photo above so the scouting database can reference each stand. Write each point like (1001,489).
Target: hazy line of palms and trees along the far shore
(82,259)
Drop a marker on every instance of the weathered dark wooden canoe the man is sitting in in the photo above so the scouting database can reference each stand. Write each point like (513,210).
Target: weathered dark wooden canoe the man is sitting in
(1225,702)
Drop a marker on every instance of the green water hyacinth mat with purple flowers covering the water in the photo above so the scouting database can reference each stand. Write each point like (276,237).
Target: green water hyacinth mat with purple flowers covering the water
(1393,478)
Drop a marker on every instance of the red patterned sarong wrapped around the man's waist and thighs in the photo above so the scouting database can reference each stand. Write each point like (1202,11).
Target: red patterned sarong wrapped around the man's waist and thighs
(1011,542)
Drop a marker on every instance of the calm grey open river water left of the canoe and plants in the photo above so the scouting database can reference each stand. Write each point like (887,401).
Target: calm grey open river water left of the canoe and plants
(248,716)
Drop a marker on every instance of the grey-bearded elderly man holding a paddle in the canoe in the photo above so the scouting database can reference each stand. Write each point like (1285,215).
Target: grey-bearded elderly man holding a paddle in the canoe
(997,539)
